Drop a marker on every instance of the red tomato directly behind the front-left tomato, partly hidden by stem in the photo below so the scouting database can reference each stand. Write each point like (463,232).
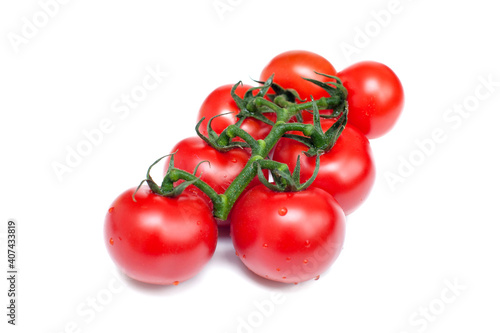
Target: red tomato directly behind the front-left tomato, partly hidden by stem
(223,167)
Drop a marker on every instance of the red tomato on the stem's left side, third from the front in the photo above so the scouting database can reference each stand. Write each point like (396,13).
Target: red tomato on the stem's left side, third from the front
(220,101)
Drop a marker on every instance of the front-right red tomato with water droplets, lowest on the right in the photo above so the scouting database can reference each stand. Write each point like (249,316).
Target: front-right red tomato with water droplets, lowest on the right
(287,237)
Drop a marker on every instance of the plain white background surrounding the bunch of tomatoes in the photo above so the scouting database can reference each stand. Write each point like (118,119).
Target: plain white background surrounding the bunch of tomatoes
(405,246)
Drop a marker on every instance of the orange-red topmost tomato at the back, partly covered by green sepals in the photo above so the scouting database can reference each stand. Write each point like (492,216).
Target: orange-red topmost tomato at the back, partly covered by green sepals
(289,69)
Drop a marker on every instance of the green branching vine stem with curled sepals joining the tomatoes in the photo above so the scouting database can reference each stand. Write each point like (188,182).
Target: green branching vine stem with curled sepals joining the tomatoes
(285,105)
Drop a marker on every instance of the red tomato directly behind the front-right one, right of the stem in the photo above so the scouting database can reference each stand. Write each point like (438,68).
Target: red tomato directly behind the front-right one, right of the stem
(347,171)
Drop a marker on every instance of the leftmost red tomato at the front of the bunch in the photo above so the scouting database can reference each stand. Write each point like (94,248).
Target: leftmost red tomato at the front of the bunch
(160,240)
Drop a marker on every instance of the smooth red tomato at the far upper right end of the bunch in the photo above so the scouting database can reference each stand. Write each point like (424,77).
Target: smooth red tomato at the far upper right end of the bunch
(375,97)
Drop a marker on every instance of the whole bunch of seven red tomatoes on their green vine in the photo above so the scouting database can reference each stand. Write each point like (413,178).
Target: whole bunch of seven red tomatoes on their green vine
(281,164)
